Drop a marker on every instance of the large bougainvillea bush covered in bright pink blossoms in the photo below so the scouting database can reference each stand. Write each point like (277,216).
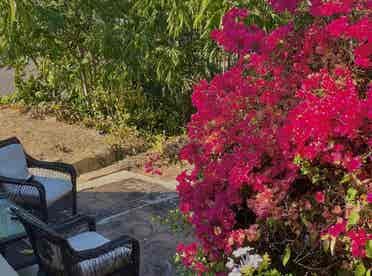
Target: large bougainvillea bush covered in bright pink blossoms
(281,145)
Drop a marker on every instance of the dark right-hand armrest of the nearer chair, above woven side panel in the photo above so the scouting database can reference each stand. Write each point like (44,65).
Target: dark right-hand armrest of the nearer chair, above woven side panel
(109,247)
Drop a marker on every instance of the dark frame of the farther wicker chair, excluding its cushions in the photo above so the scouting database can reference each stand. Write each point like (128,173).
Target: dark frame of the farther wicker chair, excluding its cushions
(48,166)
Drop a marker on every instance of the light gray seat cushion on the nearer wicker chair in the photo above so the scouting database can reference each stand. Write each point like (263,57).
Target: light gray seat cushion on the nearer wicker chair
(87,240)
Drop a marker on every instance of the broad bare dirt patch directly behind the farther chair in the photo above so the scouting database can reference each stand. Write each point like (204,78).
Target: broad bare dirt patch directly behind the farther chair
(52,140)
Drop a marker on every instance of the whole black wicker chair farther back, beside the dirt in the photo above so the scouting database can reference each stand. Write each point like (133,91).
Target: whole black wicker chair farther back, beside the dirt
(35,184)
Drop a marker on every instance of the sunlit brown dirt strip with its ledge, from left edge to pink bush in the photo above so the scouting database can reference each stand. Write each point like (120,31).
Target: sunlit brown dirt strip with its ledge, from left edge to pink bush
(85,148)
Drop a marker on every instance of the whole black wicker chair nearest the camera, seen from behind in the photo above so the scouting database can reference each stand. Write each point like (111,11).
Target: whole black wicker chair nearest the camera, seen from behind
(84,254)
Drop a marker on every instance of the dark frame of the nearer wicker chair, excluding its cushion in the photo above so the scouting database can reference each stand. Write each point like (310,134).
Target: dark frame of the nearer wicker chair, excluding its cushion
(55,234)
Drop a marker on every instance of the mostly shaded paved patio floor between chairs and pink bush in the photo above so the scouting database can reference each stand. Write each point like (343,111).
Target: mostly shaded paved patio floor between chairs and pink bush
(128,207)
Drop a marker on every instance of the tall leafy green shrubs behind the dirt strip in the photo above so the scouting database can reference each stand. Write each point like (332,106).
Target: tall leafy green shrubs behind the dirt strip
(121,61)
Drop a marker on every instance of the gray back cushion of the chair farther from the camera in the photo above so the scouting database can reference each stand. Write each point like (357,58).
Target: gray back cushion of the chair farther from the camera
(13,162)
